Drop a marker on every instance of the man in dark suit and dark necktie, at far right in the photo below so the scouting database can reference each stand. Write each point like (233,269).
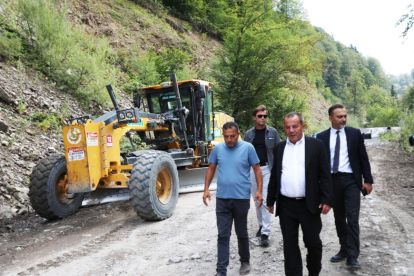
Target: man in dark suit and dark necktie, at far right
(351,174)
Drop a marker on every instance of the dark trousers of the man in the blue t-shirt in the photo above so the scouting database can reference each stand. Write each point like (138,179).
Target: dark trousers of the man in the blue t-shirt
(227,211)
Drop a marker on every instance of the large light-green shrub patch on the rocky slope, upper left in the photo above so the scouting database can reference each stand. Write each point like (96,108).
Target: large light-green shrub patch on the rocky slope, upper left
(77,62)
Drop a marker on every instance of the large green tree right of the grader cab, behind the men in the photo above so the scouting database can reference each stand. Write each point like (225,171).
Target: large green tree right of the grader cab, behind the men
(260,52)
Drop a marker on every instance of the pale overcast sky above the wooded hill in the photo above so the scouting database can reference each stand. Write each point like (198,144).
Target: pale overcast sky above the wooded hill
(370,26)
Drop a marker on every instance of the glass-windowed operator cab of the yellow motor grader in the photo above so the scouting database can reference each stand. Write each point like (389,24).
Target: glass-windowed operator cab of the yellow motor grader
(193,128)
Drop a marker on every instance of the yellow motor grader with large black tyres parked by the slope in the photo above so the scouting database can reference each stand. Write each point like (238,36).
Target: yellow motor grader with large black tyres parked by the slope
(175,119)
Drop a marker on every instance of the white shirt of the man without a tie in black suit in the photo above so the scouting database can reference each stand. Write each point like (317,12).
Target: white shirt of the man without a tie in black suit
(293,169)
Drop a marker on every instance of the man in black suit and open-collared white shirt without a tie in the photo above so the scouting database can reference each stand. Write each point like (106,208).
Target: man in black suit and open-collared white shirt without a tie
(300,184)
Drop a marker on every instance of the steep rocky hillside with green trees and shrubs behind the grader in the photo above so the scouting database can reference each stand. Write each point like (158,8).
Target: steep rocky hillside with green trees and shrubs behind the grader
(57,56)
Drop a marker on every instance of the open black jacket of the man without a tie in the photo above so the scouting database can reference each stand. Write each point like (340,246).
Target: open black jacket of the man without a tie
(317,176)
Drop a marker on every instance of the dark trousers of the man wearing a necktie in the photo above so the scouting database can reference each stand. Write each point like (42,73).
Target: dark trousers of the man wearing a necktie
(346,206)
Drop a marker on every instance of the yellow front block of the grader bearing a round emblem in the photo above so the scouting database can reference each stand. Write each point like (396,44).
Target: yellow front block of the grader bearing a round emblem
(83,156)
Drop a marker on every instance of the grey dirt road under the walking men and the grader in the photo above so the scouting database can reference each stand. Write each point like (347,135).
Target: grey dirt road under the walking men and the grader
(111,240)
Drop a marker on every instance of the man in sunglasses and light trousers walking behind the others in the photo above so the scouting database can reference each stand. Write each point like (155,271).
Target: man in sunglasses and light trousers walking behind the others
(264,138)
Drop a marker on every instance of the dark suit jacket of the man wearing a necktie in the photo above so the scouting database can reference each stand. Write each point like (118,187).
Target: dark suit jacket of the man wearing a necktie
(357,154)
